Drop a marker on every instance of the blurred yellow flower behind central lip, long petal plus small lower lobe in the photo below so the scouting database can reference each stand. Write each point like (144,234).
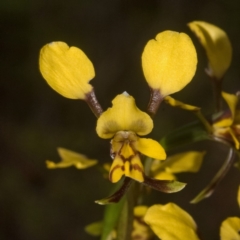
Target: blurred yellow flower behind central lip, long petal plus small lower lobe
(190,161)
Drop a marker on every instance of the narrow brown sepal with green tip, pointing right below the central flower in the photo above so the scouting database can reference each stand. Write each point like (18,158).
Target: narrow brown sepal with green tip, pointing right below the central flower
(167,186)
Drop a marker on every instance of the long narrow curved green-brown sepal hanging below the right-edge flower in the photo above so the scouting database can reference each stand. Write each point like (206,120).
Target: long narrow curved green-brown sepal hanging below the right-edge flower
(207,191)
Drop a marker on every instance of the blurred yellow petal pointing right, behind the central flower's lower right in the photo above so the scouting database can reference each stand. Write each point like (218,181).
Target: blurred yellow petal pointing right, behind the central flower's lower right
(185,162)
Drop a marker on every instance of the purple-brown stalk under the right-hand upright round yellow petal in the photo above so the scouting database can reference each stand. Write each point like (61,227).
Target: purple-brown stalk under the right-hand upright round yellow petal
(154,102)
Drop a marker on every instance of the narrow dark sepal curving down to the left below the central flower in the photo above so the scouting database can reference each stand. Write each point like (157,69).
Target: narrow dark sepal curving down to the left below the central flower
(116,197)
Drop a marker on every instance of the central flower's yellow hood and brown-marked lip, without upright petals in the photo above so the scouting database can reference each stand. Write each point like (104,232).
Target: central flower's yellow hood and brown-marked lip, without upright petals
(124,122)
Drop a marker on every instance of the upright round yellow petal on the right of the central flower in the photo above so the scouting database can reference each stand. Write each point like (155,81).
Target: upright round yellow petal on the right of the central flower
(169,62)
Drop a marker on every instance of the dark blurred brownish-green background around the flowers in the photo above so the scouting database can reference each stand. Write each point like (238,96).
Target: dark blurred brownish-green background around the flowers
(41,204)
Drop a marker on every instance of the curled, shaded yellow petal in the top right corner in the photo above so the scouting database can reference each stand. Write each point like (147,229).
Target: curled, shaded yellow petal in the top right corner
(217,46)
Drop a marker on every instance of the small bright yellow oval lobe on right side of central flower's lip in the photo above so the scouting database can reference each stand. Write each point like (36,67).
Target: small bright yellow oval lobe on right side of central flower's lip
(150,148)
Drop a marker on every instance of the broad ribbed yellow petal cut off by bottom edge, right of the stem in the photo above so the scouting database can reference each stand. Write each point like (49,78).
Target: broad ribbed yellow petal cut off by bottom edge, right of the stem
(170,222)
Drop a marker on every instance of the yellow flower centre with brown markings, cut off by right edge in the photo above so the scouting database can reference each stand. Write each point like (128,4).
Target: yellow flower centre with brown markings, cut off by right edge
(227,125)
